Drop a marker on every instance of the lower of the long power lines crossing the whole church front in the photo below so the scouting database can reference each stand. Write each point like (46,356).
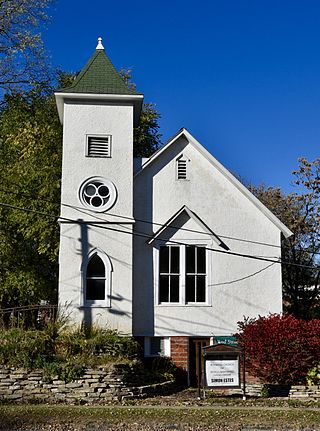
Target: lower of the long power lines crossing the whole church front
(165,240)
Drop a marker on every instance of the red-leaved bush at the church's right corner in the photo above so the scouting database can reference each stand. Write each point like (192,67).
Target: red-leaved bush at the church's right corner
(280,348)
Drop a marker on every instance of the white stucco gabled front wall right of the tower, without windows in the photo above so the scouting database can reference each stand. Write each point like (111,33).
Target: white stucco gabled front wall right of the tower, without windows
(158,195)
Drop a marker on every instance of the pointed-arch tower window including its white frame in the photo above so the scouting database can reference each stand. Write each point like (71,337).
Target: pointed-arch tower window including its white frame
(97,280)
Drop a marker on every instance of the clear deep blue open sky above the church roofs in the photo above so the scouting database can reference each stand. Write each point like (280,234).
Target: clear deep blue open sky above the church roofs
(242,76)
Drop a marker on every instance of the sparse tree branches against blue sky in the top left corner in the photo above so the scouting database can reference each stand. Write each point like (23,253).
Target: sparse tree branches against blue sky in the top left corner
(22,57)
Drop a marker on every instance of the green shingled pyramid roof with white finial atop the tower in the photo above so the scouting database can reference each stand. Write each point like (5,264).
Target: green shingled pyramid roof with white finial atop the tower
(99,76)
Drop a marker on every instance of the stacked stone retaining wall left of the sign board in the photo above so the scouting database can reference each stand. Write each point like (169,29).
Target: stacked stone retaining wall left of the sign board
(95,386)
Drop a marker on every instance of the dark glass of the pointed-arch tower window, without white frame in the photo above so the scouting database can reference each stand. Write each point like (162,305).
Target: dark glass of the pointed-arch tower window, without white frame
(95,279)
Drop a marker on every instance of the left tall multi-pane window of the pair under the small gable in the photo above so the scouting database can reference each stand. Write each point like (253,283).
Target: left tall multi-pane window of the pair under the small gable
(169,278)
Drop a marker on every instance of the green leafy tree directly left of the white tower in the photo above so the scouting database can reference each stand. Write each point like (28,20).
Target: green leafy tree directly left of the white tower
(30,160)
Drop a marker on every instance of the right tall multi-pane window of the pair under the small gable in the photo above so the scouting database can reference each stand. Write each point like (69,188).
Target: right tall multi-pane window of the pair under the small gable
(195,274)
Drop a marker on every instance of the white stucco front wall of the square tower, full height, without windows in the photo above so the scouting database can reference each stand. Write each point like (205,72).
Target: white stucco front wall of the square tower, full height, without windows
(80,120)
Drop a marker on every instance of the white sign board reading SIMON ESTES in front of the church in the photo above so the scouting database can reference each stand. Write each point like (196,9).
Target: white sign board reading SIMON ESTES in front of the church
(221,366)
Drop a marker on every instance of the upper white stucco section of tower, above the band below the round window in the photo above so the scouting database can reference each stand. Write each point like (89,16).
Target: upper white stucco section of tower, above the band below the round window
(84,119)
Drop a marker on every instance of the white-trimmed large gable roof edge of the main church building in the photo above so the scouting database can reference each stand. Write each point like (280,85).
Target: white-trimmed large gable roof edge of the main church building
(184,133)
